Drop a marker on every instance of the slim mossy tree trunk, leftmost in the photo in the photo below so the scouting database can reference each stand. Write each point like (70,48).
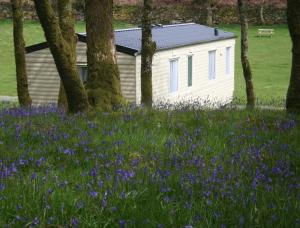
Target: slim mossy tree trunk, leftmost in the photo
(19,44)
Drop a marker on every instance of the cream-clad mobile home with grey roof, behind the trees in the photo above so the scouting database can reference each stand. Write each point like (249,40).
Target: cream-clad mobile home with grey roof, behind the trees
(192,62)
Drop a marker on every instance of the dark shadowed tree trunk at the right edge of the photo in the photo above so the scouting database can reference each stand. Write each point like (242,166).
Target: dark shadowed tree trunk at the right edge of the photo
(293,95)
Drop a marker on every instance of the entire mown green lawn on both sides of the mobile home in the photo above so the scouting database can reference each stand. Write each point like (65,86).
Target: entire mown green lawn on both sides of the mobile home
(270,60)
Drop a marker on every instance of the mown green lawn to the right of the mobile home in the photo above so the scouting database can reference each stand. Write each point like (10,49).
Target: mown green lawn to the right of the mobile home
(270,60)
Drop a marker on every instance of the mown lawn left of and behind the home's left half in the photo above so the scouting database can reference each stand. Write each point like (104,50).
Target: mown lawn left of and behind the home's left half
(33,34)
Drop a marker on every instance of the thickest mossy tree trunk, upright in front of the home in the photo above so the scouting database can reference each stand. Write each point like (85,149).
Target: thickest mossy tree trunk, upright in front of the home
(103,83)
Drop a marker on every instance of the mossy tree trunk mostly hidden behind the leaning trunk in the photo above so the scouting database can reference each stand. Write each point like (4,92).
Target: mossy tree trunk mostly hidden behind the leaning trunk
(66,23)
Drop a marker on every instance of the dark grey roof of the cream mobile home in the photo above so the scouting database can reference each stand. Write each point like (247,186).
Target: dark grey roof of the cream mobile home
(166,37)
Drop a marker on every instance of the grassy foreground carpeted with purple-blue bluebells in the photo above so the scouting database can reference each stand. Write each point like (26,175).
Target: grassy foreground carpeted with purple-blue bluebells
(139,168)
